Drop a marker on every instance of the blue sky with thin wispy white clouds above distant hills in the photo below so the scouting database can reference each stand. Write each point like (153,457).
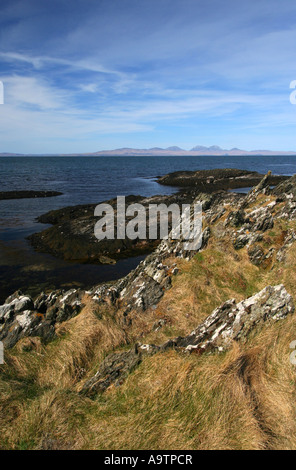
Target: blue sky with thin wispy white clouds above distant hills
(89,75)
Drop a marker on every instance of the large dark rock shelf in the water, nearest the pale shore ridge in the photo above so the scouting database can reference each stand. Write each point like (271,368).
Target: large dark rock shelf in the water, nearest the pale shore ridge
(72,235)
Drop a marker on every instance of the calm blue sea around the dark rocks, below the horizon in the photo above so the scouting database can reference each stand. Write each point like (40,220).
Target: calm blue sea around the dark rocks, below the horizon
(85,180)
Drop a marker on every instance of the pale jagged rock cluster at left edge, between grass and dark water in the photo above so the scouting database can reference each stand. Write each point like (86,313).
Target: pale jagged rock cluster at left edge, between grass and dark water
(21,317)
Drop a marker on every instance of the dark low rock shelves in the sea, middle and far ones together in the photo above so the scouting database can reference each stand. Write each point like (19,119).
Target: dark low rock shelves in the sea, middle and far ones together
(72,235)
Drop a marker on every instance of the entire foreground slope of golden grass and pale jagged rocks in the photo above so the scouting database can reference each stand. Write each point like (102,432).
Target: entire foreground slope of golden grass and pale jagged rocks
(185,334)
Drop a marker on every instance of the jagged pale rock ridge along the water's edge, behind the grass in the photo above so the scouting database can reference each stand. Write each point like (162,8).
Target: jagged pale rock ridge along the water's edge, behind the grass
(245,219)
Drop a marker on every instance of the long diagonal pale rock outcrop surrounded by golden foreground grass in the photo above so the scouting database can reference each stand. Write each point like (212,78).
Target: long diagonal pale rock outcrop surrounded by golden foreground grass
(230,322)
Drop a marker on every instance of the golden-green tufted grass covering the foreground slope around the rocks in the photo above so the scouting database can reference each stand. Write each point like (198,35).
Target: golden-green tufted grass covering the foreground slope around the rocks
(241,399)
